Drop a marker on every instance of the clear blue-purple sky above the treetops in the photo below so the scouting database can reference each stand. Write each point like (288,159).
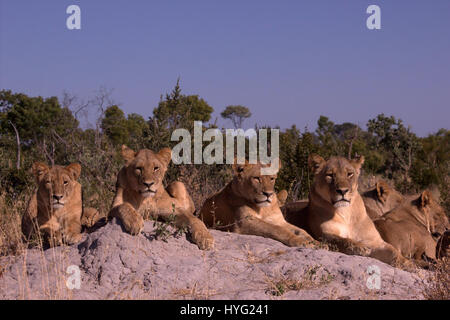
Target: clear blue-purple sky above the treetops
(288,61)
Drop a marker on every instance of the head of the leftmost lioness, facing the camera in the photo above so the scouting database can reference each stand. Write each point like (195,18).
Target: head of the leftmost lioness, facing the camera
(56,185)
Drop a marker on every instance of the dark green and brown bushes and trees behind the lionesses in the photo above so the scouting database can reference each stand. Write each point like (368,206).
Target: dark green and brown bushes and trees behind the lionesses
(51,133)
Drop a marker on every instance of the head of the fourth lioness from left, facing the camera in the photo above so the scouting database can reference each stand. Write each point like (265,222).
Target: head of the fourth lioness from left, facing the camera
(336,179)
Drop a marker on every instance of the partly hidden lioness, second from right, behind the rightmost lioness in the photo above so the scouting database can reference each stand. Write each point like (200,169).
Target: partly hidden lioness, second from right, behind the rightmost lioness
(381,199)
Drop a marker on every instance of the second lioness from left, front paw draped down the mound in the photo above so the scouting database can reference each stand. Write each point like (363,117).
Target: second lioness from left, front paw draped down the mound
(140,194)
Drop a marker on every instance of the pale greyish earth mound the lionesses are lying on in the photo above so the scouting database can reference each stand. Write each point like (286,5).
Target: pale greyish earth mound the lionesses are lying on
(160,265)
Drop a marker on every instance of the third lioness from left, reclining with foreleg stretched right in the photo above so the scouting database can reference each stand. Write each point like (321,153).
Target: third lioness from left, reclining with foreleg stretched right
(249,205)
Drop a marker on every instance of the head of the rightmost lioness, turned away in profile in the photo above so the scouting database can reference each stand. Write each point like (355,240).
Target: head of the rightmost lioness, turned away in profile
(429,212)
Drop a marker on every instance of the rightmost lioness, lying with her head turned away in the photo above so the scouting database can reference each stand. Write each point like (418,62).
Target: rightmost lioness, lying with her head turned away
(410,227)
